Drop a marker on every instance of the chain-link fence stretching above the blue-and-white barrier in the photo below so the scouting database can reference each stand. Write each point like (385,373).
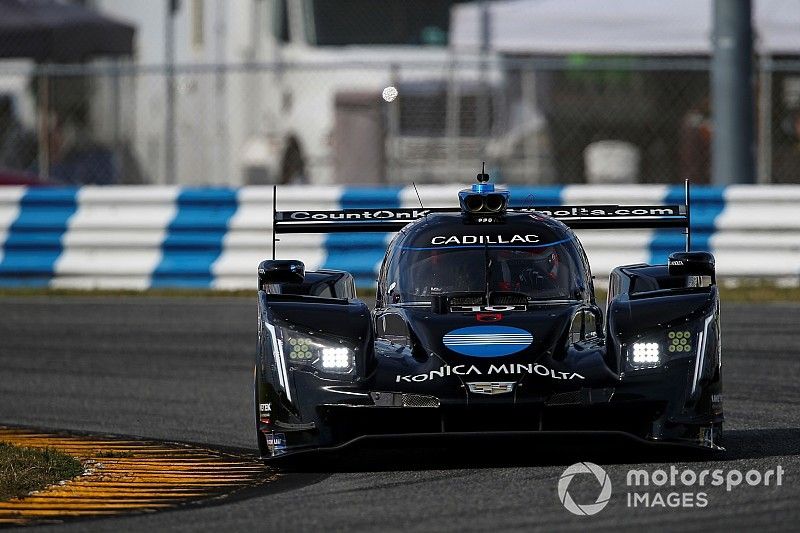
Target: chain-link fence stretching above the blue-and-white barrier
(534,120)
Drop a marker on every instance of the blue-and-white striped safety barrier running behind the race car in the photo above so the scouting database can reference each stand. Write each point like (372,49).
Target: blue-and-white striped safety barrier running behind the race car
(142,237)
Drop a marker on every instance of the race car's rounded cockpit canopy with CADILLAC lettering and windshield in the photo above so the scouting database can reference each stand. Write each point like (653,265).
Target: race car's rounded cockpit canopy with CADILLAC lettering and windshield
(525,255)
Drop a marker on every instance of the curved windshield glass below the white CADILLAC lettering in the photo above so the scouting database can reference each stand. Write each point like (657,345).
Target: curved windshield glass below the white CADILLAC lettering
(547,272)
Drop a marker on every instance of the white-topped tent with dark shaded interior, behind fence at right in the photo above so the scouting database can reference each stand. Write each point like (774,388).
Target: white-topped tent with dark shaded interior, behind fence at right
(635,74)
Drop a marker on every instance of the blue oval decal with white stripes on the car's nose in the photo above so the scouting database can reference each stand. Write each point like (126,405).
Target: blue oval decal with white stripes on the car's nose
(488,341)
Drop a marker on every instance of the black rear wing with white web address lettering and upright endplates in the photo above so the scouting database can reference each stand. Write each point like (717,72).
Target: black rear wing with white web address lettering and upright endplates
(395,219)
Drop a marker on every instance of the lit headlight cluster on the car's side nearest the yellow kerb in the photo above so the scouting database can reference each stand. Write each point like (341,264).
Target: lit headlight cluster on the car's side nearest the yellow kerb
(324,354)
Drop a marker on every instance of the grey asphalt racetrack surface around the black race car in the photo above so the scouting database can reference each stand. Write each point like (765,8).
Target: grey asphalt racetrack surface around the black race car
(181,369)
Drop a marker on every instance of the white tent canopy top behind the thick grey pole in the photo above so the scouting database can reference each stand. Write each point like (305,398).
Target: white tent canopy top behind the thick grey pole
(641,27)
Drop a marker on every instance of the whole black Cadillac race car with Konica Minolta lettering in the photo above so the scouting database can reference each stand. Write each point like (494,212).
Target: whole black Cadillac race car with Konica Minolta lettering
(486,323)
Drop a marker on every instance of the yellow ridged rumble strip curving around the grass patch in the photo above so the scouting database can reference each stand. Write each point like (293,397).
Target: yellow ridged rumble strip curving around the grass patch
(124,476)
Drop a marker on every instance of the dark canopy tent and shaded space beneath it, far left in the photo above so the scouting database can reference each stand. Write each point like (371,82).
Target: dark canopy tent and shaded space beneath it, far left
(50,122)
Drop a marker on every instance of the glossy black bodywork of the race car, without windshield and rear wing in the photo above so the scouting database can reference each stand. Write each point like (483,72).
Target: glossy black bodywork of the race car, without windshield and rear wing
(410,375)
